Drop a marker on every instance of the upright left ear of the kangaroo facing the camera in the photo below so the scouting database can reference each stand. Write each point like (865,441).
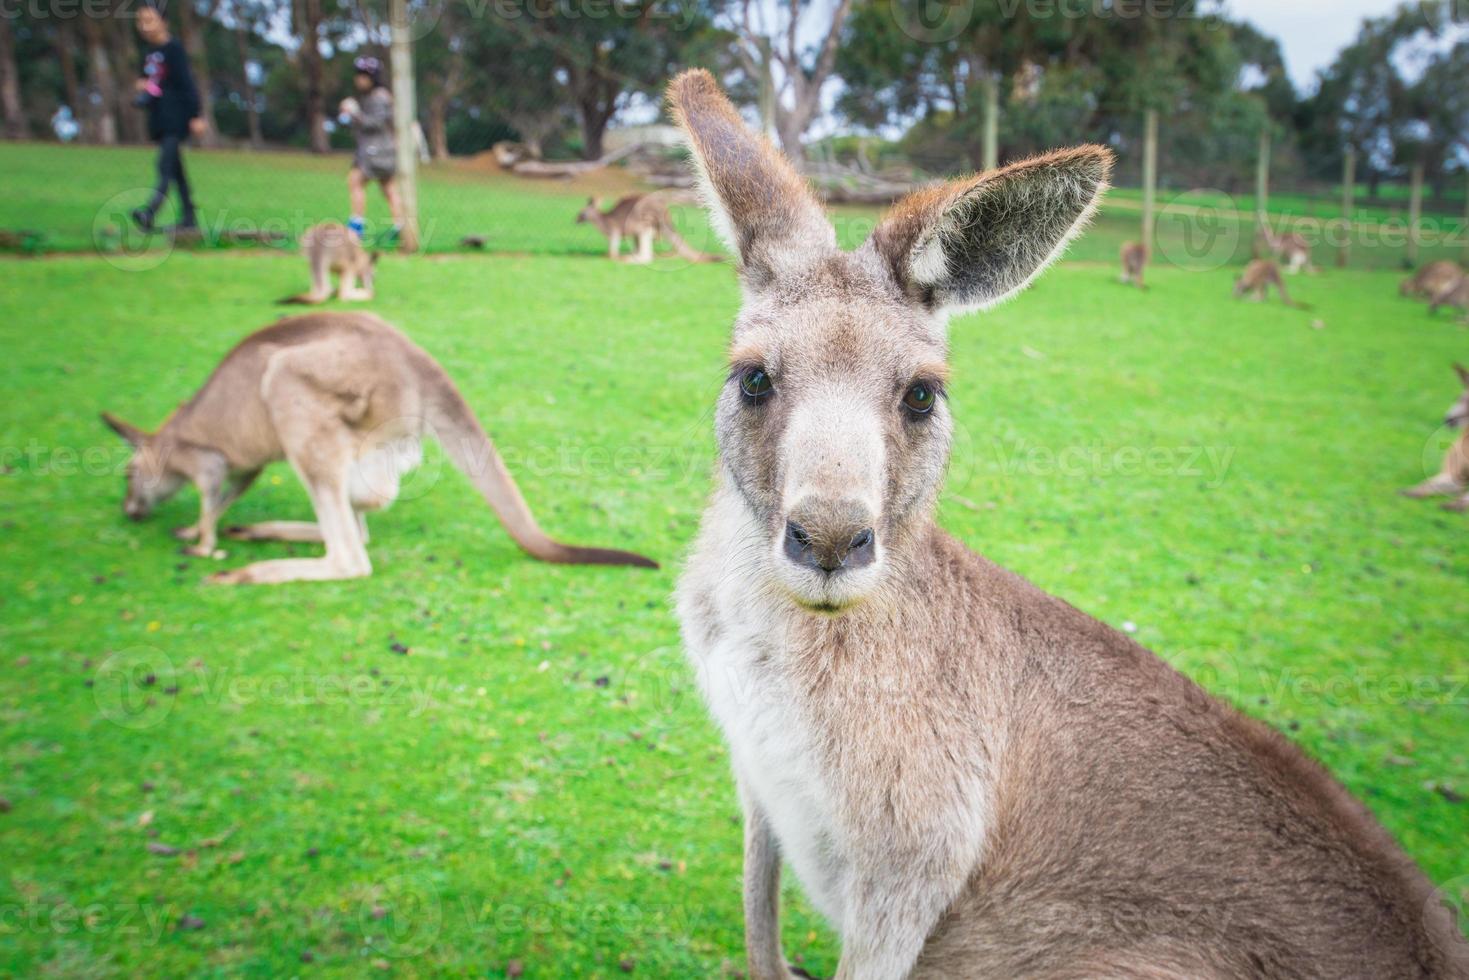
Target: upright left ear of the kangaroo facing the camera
(760,206)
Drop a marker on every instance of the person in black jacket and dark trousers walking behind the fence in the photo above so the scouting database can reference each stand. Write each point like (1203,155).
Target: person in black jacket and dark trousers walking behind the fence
(167,90)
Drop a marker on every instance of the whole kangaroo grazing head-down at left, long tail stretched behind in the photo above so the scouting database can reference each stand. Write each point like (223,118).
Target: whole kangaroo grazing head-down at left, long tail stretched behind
(347,400)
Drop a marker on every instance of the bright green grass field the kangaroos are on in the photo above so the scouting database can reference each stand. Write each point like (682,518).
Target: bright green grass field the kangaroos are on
(261,782)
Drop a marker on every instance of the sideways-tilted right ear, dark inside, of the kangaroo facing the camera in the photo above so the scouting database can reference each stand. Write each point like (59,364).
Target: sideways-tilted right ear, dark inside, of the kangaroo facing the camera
(969,245)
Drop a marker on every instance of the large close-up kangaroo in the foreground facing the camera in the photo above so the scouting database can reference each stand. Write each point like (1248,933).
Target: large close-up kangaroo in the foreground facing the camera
(969,777)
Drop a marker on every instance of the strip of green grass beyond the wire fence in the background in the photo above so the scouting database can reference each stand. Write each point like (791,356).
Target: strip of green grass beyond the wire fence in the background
(79,199)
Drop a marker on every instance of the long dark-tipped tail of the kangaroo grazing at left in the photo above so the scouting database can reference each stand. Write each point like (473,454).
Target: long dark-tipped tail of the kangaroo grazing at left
(469,447)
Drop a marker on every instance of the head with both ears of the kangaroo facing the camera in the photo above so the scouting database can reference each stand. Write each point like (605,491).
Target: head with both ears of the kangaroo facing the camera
(834,424)
